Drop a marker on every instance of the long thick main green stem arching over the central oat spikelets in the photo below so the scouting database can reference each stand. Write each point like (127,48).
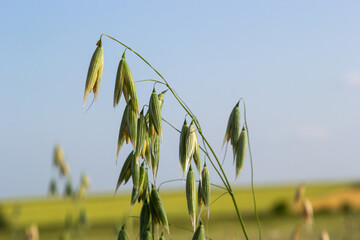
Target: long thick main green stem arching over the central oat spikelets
(187,109)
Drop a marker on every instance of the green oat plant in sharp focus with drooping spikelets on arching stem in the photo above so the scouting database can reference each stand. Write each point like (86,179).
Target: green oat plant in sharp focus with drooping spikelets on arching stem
(141,126)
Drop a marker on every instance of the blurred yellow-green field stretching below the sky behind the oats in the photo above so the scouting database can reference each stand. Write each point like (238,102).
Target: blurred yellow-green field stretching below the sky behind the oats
(106,213)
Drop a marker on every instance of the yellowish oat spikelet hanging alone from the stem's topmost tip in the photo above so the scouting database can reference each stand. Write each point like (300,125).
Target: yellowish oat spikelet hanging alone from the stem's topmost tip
(94,75)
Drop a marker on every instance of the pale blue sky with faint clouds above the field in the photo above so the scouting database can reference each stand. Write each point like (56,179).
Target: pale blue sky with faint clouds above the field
(296,63)
